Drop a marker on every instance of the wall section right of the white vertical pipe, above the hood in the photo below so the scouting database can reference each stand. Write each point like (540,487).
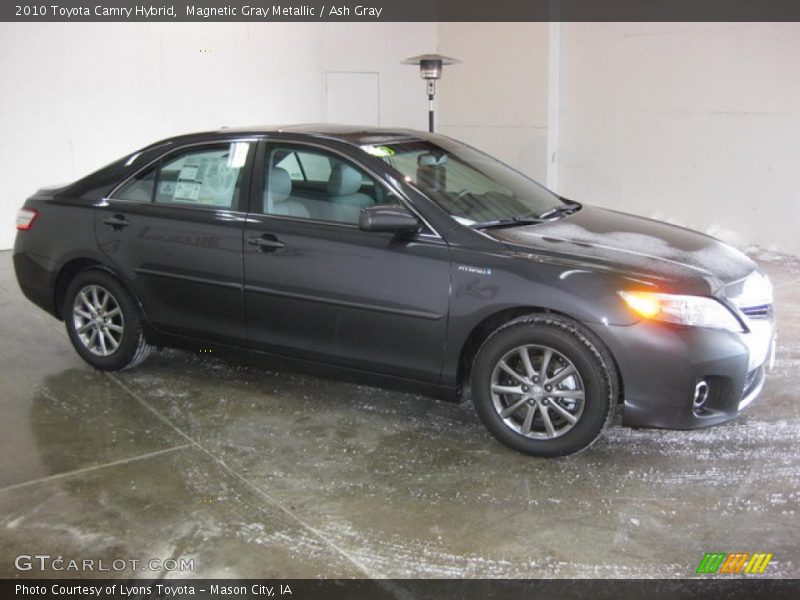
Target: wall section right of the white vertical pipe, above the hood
(694,123)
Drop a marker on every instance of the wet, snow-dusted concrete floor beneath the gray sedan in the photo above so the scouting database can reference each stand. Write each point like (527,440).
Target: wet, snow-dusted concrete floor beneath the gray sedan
(258,473)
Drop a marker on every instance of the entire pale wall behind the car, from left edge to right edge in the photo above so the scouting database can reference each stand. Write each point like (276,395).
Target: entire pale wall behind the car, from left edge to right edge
(694,123)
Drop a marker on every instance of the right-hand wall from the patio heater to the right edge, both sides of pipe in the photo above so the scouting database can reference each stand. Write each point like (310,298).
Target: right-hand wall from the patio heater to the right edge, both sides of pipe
(693,123)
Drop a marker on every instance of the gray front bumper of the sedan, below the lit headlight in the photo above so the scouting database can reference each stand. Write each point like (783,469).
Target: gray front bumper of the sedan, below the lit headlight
(661,366)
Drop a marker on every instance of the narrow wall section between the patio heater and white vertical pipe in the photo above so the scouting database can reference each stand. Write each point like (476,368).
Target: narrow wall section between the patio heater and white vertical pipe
(497,99)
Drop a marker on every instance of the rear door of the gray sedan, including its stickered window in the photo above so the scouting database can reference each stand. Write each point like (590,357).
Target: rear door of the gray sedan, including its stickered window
(175,232)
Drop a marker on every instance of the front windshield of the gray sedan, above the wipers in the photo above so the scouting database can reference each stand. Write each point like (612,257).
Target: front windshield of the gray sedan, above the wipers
(471,186)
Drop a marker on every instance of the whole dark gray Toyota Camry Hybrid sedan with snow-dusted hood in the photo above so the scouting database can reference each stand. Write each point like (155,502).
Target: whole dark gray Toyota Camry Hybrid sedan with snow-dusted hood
(411,257)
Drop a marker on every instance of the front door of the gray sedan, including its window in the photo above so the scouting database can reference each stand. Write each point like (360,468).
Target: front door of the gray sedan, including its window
(318,287)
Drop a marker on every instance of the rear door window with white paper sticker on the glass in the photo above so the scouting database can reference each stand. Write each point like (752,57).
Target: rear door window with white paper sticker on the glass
(206,176)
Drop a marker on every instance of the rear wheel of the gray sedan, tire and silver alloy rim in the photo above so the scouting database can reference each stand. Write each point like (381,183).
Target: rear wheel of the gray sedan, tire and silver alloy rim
(103,322)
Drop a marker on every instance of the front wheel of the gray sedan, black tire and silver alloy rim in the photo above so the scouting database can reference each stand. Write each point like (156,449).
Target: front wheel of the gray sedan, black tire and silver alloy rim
(577,390)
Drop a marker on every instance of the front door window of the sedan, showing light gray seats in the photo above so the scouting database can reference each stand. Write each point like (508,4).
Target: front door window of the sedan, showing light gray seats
(313,184)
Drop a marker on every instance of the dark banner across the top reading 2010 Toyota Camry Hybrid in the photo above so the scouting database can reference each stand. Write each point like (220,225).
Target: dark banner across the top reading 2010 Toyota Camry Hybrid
(400,10)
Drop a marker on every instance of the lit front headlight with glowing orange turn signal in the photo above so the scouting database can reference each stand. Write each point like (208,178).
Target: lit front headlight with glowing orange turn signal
(694,311)
